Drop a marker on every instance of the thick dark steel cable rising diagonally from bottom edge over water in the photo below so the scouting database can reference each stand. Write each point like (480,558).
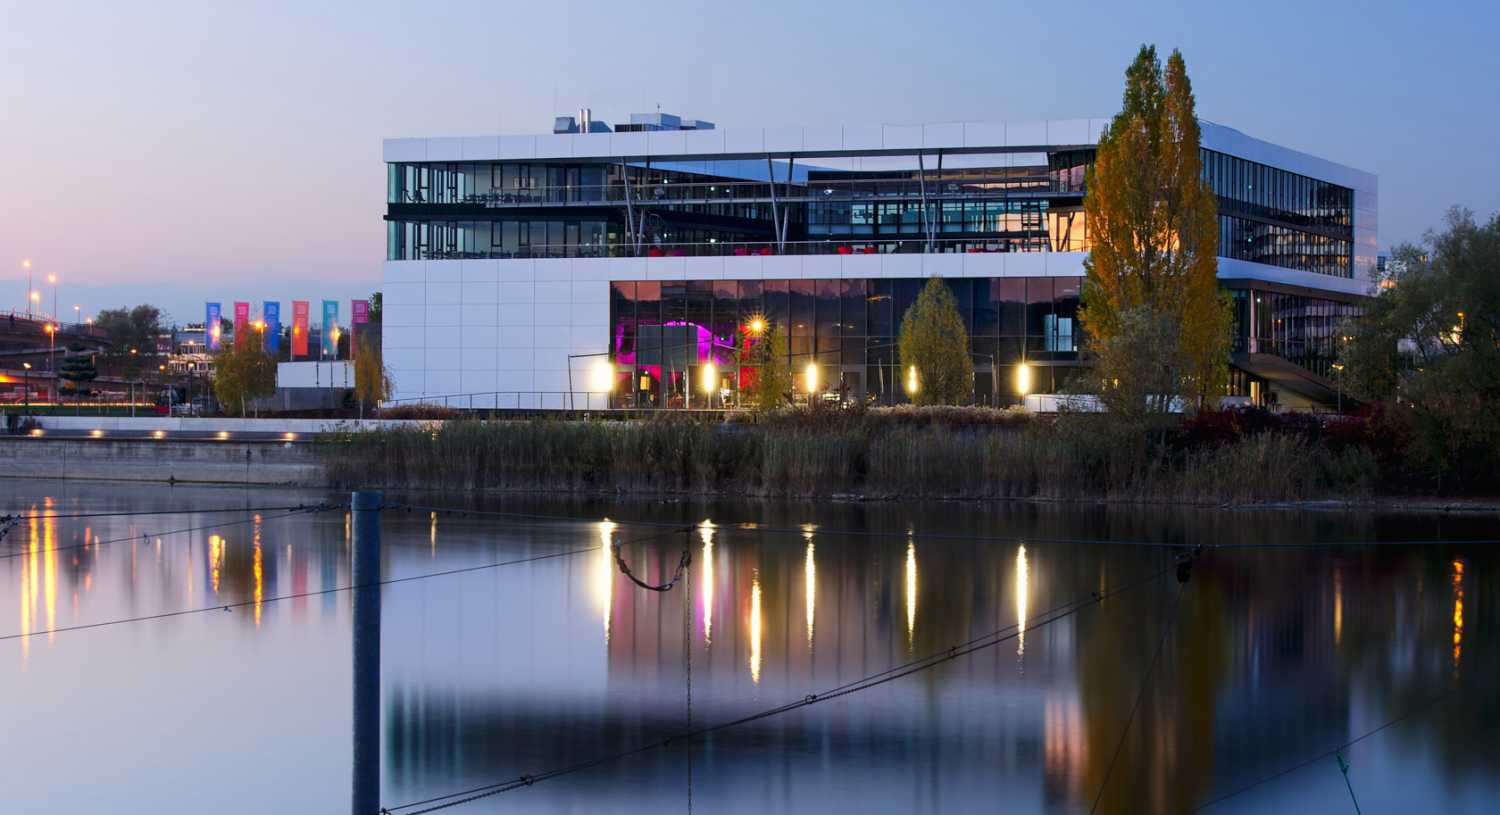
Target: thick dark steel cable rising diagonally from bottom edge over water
(874,681)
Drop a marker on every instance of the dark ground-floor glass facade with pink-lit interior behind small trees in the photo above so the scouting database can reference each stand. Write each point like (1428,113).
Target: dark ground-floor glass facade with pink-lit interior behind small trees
(668,335)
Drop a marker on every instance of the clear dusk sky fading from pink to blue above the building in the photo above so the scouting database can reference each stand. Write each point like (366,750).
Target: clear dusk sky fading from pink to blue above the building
(178,152)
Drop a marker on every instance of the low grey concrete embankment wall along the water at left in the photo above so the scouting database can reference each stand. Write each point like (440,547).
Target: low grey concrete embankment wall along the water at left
(148,460)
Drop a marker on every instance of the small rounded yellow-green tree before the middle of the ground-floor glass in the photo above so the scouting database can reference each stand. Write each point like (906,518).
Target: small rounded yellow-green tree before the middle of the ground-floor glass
(935,343)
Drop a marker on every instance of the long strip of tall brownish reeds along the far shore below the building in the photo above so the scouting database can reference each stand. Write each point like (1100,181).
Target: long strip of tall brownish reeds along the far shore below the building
(878,456)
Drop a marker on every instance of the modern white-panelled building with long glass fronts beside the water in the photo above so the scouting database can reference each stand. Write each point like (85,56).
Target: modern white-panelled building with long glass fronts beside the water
(629,266)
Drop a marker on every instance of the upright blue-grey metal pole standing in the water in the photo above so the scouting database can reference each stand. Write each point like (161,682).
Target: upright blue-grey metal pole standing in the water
(365,799)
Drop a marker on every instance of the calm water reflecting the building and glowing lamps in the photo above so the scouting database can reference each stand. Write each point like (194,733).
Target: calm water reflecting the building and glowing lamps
(1276,657)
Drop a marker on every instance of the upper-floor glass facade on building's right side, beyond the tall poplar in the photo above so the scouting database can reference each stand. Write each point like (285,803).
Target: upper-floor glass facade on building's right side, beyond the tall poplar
(1280,218)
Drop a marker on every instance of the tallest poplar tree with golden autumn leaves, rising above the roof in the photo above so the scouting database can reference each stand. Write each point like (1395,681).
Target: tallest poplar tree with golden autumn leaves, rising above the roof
(1153,227)
